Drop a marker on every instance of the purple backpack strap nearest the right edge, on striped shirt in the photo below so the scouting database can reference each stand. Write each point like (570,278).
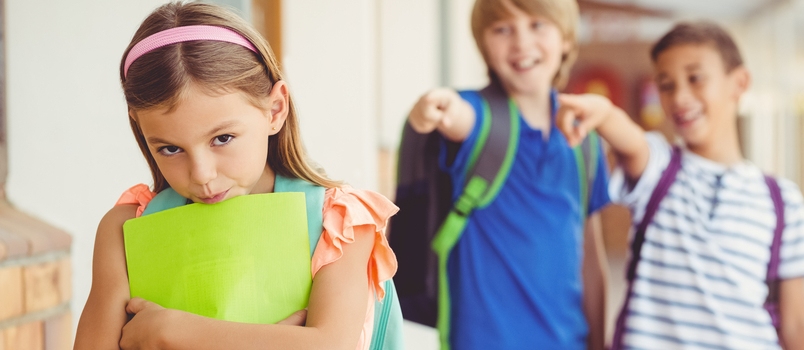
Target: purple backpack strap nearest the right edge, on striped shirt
(772,278)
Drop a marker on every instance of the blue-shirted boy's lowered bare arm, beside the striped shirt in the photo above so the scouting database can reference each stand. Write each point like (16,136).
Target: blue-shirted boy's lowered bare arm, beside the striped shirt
(595,280)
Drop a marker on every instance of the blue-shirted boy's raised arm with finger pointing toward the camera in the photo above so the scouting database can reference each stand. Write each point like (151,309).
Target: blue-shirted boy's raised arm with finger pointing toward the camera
(444,110)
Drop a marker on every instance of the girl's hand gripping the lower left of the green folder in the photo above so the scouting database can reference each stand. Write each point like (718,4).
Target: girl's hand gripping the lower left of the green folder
(148,326)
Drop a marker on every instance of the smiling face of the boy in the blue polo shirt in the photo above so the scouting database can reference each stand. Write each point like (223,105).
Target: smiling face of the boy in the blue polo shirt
(524,51)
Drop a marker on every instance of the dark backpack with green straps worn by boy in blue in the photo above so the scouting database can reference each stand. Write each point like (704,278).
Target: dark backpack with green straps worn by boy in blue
(429,223)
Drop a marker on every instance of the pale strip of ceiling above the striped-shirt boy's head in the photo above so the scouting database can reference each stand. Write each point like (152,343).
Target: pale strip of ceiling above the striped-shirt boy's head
(713,9)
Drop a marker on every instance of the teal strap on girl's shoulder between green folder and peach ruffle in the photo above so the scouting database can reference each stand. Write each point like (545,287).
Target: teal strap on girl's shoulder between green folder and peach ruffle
(314,197)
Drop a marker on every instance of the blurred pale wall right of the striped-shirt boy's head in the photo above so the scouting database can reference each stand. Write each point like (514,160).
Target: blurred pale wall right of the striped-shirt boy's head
(773,49)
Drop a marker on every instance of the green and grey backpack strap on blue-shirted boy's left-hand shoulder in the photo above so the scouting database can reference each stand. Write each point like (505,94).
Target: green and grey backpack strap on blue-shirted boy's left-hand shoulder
(488,167)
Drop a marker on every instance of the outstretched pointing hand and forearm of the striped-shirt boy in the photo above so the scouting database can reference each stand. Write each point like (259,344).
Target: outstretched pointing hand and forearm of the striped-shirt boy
(581,113)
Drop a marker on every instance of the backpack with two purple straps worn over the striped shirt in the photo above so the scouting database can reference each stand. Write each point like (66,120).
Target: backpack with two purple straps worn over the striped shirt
(662,187)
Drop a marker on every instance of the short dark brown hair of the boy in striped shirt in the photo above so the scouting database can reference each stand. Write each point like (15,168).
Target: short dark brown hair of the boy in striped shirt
(700,33)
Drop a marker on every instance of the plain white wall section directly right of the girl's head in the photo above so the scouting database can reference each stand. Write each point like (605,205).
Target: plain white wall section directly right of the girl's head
(331,65)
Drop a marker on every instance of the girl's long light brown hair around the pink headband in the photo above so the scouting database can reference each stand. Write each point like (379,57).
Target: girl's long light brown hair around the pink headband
(158,78)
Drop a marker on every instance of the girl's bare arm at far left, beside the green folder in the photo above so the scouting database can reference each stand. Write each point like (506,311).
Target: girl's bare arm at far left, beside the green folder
(105,311)
